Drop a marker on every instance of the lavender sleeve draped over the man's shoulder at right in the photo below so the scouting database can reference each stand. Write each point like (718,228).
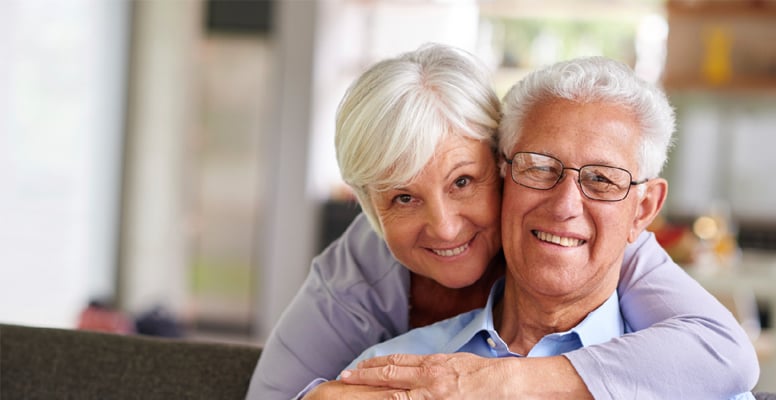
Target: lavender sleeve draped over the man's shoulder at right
(686,344)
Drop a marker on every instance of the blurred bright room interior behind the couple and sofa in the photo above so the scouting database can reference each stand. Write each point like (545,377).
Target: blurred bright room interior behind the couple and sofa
(172,161)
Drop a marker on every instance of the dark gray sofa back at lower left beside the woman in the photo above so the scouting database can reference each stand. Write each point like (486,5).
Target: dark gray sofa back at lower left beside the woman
(46,363)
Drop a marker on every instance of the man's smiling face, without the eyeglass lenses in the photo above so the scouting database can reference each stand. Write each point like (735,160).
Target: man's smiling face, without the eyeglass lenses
(558,243)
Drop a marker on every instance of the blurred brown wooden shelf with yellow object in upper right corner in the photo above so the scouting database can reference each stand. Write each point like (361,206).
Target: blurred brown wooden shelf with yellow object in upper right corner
(721,44)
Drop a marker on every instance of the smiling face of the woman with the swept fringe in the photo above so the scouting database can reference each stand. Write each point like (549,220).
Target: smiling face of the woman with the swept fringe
(444,224)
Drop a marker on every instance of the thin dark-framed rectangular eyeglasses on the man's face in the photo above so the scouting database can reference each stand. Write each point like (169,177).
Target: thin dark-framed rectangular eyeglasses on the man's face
(597,182)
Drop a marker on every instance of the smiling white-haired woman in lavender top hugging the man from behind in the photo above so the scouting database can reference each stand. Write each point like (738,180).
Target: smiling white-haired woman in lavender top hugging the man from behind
(416,140)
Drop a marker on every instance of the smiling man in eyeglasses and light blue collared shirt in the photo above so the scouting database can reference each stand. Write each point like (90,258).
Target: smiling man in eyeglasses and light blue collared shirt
(584,142)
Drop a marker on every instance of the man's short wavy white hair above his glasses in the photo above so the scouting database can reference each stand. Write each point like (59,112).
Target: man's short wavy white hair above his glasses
(594,79)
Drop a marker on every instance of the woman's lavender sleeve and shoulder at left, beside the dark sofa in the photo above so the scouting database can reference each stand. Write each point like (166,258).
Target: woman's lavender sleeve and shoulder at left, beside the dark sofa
(354,296)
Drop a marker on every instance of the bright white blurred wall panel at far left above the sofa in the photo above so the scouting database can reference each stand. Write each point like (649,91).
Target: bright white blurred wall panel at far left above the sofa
(61,114)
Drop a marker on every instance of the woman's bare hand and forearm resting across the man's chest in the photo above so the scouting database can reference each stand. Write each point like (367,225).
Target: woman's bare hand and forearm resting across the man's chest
(468,376)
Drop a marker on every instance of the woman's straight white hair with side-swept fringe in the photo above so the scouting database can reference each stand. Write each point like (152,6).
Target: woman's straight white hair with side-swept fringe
(393,117)
